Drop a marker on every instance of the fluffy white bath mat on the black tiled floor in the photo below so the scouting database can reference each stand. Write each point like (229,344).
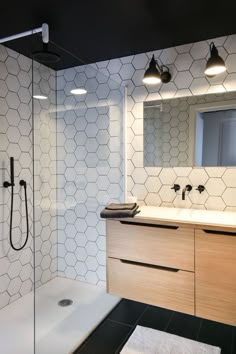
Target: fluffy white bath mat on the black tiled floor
(150,341)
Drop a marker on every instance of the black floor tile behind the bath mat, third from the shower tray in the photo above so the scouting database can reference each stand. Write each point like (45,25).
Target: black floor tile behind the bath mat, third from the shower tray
(184,325)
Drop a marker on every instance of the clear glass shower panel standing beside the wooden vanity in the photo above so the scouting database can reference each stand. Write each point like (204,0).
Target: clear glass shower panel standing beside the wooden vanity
(78,169)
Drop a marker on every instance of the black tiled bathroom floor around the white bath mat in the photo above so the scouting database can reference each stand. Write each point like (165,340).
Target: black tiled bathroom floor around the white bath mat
(111,335)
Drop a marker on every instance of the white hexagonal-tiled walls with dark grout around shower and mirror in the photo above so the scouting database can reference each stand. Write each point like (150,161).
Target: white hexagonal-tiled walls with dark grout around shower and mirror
(89,157)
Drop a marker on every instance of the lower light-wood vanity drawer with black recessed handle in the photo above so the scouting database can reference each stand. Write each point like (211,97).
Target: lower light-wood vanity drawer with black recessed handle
(160,287)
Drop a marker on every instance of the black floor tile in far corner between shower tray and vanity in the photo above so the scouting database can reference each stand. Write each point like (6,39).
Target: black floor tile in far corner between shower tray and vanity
(127,312)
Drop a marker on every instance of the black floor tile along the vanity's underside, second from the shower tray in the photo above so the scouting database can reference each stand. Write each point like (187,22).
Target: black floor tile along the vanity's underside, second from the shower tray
(156,317)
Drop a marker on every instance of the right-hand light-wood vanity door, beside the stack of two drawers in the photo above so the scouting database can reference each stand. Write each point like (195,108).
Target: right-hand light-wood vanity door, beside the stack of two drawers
(215,254)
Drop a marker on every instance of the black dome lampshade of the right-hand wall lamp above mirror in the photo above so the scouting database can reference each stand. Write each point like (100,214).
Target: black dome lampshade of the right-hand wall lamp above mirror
(215,64)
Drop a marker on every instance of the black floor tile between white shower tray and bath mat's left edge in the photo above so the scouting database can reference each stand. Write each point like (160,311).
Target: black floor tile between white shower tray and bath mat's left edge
(106,339)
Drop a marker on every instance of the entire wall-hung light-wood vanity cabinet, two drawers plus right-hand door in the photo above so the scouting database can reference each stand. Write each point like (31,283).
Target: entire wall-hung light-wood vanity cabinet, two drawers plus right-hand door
(184,268)
